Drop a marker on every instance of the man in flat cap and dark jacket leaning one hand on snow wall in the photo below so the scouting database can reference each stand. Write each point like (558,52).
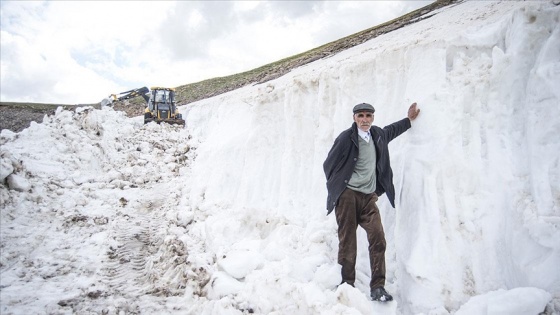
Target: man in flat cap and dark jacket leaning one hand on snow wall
(358,171)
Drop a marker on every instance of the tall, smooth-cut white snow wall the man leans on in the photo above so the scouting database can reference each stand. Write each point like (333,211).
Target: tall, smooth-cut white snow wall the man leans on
(477,177)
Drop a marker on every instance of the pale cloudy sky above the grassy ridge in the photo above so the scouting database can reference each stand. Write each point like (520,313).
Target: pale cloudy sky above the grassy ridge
(81,51)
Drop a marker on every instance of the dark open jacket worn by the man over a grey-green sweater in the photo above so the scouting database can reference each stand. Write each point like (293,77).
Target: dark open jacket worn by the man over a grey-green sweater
(343,156)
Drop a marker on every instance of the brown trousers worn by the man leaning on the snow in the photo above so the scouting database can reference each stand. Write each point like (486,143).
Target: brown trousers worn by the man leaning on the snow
(353,209)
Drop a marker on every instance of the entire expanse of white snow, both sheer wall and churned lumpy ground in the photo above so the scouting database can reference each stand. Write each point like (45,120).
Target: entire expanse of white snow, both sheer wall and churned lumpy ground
(104,215)
